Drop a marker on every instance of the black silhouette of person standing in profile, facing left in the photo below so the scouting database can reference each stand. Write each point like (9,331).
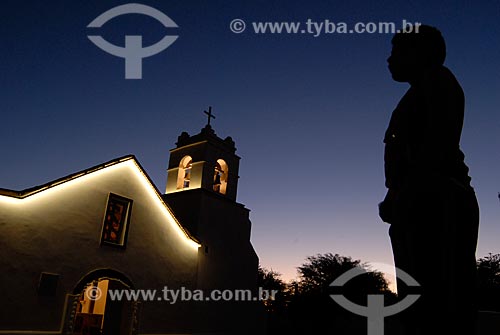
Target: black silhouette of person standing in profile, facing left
(430,203)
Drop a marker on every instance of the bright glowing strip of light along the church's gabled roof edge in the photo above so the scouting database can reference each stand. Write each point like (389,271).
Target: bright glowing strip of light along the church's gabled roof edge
(53,193)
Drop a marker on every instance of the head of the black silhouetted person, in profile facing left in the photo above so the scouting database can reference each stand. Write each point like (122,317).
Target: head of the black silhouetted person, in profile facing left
(414,51)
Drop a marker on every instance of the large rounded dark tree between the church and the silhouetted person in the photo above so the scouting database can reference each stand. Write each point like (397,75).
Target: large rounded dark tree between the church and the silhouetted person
(312,310)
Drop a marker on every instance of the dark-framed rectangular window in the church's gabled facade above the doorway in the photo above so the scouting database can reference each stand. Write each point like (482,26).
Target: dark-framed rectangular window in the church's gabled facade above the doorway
(116,221)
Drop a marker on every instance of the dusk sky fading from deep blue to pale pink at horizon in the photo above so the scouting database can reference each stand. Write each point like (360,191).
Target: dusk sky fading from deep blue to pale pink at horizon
(307,113)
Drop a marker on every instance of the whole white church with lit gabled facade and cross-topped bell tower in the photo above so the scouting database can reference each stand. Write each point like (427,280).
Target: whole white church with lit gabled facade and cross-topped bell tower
(103,251)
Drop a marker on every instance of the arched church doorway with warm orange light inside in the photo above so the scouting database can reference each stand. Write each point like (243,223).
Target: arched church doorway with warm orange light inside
(95,311)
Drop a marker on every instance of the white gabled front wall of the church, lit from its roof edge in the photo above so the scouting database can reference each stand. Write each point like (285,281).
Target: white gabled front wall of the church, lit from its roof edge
(58,230)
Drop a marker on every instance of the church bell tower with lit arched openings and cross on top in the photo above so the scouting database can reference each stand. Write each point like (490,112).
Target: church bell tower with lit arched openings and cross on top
(201,192)
